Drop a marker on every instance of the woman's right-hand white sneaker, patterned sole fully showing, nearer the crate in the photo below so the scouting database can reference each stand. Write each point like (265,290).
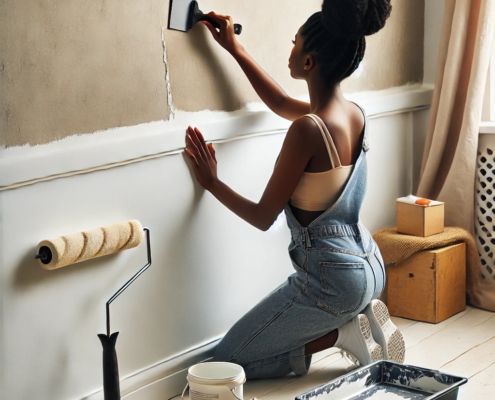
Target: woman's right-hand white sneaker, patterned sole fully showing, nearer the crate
(385,332)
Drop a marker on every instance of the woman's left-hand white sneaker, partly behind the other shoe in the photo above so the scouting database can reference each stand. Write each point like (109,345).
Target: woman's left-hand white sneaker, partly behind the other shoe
(355,337)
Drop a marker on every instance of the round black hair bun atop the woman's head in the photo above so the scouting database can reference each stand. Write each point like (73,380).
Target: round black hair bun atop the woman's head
(353,19)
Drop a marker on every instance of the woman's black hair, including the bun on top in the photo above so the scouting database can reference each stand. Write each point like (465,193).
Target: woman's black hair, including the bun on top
(335,36)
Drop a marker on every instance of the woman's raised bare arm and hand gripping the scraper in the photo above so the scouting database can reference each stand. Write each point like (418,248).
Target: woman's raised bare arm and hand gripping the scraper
(269,91)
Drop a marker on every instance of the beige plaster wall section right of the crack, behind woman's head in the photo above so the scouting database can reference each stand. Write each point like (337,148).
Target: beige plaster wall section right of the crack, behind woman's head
(394,56)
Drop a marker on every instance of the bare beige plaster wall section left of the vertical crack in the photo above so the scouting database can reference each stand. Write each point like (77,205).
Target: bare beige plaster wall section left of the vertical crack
(77,66)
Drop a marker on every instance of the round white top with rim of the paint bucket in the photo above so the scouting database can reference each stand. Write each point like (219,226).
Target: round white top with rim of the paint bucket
(216,373)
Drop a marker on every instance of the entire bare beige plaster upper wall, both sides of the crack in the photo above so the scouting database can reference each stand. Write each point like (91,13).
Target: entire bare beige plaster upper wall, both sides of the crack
(78,67)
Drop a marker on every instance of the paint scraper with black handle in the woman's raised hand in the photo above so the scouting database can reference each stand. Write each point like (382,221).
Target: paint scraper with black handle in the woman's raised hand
(184,14)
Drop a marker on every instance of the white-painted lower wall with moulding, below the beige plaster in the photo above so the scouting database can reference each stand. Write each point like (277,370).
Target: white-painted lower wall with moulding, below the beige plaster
(209,266)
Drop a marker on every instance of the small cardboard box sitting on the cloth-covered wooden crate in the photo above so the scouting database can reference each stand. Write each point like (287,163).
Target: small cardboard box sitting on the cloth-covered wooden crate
(420,220)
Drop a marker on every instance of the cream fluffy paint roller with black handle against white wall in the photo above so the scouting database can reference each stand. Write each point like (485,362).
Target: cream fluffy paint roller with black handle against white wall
(81,246)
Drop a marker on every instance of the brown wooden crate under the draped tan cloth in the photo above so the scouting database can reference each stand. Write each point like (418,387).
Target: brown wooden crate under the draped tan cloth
(428,286)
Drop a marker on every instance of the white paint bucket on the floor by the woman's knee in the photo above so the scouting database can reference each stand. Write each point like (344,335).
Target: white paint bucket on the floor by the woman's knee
(215,380)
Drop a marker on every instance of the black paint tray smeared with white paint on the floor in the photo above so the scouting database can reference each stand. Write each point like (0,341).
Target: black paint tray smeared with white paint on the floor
(387,380)
